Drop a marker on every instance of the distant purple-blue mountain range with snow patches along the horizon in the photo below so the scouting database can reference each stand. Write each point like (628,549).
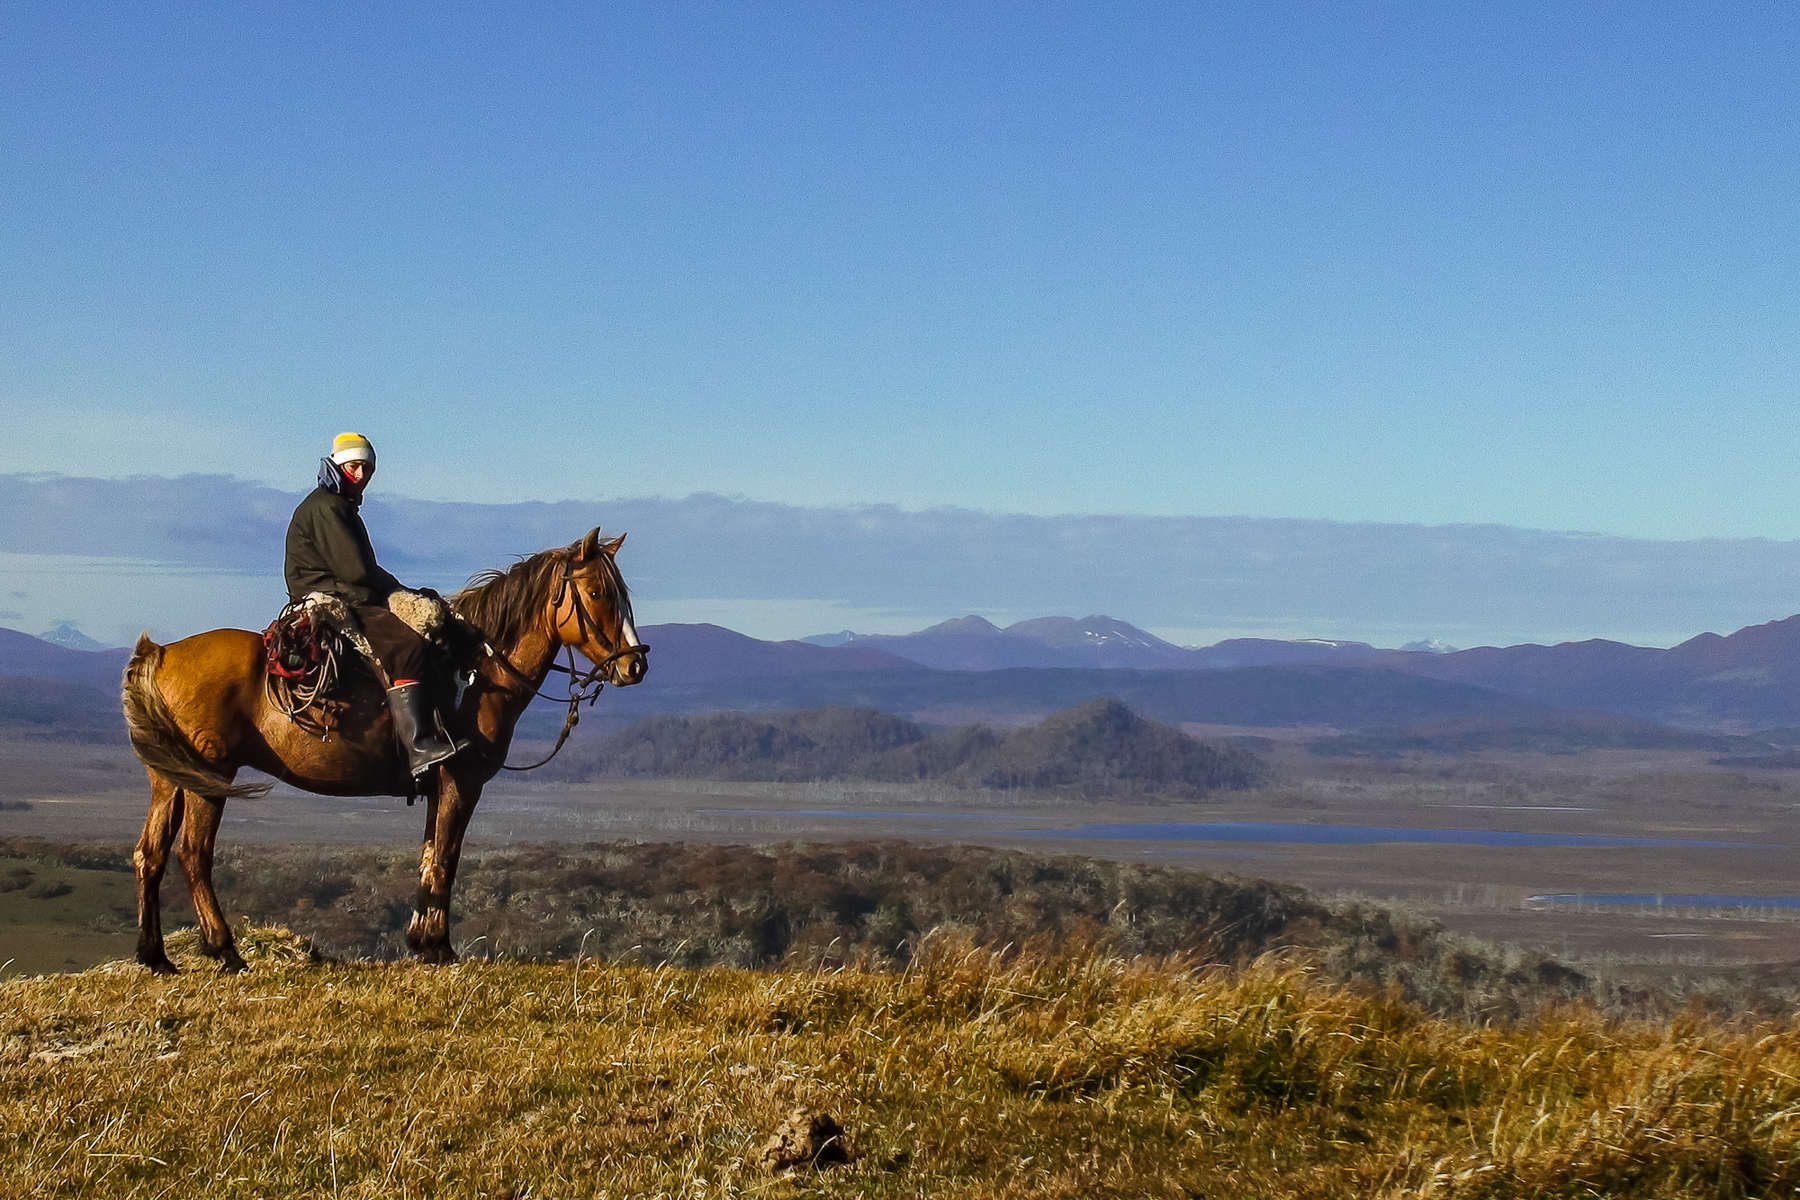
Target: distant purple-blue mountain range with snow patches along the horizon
(969,670)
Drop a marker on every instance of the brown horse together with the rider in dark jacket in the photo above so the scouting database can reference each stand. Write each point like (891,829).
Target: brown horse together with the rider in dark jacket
(199,710)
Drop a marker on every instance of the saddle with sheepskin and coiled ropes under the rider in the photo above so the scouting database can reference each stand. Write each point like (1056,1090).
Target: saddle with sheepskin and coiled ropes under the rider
(307,645)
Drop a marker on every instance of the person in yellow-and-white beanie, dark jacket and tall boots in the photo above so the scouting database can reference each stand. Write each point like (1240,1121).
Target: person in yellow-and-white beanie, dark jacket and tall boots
(328,551)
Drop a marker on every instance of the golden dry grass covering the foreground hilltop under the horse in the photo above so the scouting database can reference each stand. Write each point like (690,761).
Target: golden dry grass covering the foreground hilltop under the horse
(969,1075)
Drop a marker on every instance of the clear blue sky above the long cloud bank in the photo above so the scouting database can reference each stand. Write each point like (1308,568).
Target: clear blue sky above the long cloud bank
(1525,265)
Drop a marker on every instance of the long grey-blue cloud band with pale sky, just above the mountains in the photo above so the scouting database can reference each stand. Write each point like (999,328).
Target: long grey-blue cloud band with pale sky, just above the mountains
(784,571)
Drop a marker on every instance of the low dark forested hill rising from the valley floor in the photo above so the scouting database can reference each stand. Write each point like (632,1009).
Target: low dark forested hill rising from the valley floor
(1095,749)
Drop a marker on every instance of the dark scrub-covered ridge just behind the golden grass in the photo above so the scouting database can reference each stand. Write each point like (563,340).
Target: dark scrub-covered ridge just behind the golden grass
(809,904)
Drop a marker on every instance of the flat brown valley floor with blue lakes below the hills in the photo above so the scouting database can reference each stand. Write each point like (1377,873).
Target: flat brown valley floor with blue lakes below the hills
(1605,821)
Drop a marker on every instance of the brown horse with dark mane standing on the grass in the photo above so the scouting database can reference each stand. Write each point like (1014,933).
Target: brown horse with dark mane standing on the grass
(197,713)
